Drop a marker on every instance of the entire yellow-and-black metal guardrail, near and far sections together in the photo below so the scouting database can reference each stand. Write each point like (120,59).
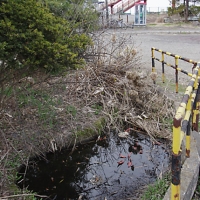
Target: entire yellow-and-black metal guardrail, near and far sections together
(186,117)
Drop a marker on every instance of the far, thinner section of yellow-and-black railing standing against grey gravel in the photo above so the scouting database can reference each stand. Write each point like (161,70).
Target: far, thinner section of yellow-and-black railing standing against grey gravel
(177,57)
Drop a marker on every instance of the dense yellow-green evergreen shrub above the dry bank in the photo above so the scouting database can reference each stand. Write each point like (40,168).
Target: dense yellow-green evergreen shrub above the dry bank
(31,36)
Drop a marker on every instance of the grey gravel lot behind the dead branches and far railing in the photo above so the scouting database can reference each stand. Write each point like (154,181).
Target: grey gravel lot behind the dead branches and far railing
(181,40)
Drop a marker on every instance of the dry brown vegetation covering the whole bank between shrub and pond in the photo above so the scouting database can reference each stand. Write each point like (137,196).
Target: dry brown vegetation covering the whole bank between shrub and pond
(111,91)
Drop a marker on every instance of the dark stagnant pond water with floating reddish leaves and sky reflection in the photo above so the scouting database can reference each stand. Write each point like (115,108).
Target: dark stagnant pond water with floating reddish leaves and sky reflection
(111,168)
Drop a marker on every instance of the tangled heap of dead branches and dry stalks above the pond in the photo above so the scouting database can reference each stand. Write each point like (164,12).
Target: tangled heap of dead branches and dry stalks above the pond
(113,79)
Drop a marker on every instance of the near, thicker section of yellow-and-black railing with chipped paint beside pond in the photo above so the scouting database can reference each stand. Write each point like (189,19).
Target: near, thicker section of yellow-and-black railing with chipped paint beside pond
(187,111)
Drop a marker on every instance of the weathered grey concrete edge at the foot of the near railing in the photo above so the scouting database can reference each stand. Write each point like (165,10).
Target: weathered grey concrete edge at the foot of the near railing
(189,171)
